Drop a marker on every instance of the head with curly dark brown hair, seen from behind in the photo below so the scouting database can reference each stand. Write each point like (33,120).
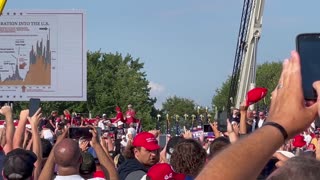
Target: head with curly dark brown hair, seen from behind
(188,157)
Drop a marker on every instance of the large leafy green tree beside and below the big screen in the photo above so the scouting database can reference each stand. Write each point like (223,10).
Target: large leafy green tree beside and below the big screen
(112,80)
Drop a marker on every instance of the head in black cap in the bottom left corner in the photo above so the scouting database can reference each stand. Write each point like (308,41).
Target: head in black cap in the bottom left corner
(18,164)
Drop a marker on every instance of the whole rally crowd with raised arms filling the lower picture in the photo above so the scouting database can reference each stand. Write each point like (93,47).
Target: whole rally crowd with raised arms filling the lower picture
(280,144)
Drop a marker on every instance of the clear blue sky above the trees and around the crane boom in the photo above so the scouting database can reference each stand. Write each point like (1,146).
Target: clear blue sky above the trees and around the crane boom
(187,46)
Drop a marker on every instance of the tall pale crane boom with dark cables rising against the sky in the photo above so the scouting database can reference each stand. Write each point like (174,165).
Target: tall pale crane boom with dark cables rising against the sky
(244,70)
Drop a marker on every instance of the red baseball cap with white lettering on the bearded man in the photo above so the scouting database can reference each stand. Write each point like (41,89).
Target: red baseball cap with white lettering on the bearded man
(146,140)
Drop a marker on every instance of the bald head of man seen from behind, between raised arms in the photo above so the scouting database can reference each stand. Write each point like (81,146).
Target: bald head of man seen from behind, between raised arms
(67,153)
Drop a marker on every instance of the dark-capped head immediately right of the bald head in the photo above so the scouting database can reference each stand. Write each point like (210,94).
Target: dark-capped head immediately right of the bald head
(88,165)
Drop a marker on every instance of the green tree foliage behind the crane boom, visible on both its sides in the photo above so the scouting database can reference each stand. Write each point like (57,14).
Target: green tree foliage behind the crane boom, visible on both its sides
(267,76)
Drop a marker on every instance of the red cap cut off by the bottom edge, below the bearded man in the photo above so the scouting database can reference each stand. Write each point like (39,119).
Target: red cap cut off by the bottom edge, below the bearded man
(163,171)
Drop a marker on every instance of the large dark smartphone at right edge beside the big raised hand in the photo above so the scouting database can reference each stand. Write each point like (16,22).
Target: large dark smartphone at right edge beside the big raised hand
(308,47)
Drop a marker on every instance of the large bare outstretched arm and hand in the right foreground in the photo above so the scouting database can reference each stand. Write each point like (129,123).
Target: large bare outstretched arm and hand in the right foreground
(248,156)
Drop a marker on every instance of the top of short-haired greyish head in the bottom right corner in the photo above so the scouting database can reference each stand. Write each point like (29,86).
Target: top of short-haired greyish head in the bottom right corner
(298,167)
